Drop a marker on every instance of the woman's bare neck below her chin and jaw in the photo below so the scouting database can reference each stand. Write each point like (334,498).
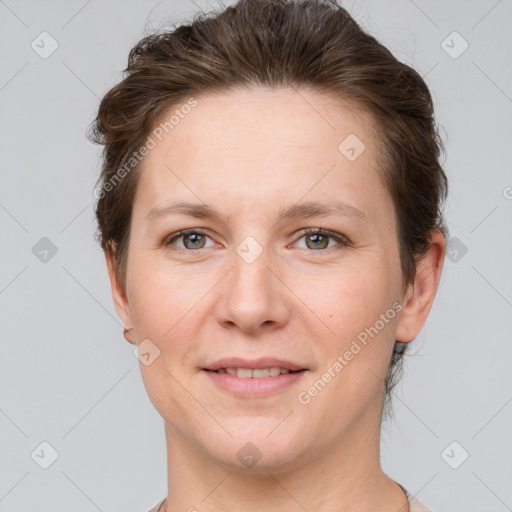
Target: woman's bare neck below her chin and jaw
(346,472)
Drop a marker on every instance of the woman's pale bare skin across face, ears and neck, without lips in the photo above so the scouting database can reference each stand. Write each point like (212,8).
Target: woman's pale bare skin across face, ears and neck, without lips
(248,155)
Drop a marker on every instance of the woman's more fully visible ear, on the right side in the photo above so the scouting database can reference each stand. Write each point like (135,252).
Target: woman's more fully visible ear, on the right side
(420,294)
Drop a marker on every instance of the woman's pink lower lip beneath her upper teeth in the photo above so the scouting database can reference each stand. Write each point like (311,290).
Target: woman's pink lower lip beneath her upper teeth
(252,387)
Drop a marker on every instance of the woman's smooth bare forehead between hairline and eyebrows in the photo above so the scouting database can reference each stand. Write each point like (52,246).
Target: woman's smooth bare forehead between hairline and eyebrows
(264,145)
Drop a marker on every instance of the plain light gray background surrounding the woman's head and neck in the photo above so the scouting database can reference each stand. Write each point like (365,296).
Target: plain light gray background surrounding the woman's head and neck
(67,376)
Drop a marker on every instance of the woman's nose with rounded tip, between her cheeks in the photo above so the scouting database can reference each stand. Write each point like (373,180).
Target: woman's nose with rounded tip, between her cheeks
(253,297)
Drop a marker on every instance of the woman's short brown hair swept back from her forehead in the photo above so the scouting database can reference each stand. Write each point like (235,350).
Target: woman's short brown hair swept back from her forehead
(312,44)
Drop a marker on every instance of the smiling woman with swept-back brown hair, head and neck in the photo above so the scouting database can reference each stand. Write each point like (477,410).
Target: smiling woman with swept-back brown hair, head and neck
(270,211)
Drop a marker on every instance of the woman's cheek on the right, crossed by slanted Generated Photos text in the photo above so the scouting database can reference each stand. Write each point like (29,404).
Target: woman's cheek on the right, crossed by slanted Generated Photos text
(355,309)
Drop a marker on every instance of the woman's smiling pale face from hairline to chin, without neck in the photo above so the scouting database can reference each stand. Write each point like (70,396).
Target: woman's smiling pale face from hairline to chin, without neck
(289,259)
